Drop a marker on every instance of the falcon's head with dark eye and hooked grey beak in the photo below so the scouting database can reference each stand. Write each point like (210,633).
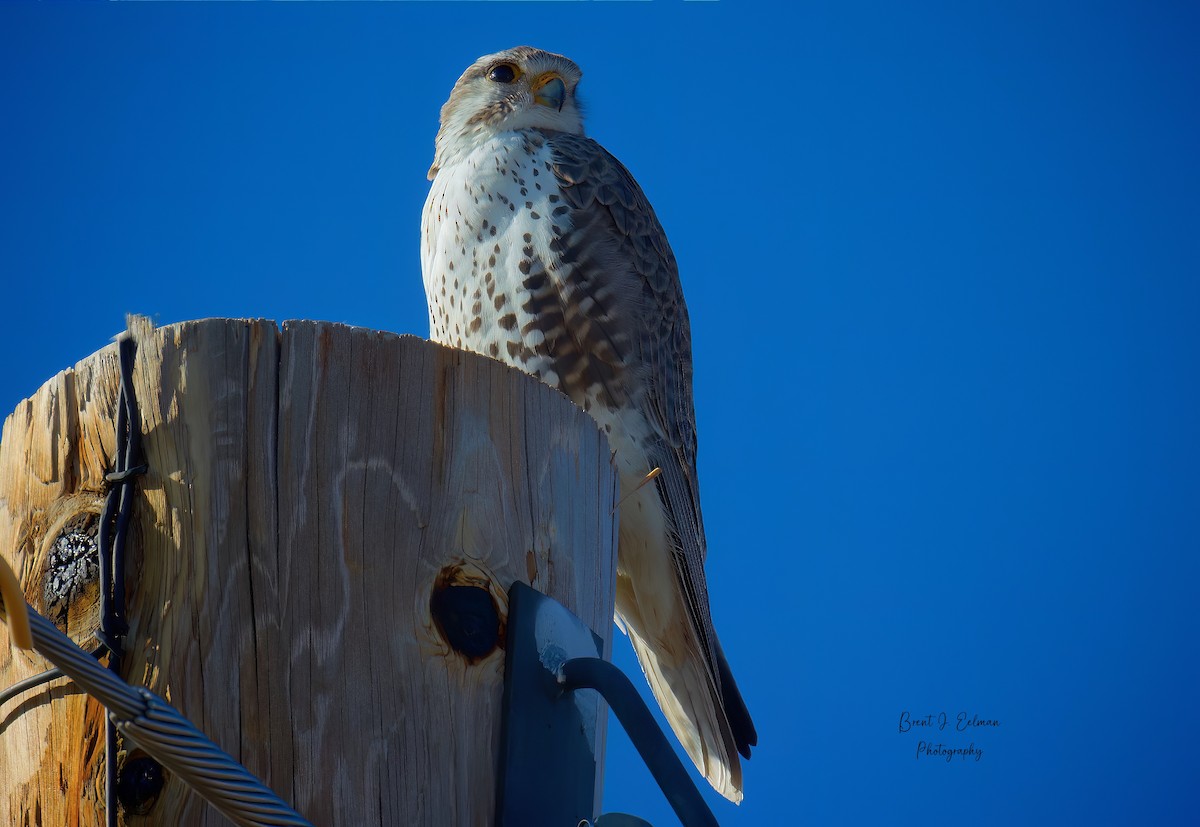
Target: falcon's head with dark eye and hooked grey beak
(517,89)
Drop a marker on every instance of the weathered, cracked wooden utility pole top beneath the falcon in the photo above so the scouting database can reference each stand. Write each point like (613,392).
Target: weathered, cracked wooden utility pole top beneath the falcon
(319,565)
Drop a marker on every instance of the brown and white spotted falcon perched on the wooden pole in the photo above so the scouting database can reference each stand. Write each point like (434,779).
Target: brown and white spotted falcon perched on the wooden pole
(539,249)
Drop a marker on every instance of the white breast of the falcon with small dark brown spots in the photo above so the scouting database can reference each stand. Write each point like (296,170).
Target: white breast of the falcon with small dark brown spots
(483,215)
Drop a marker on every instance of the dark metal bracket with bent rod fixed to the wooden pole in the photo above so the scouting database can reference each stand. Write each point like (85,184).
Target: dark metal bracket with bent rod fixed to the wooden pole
(548,752)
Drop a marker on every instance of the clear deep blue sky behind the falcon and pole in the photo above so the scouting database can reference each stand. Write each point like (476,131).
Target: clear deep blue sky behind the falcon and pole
(944,271)
